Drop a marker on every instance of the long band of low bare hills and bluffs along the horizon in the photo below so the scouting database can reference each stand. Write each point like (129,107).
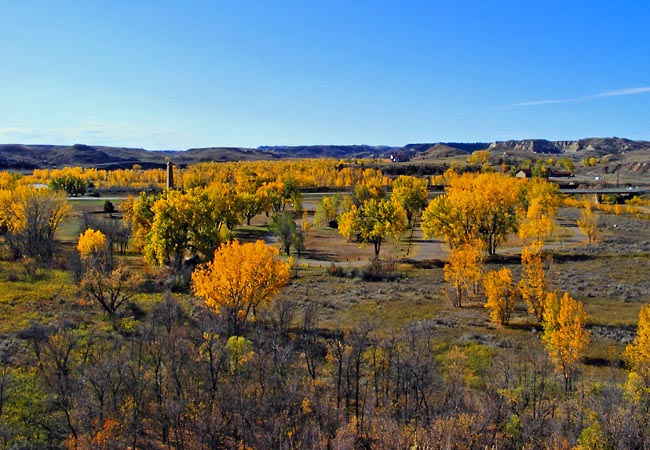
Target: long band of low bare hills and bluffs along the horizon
(622,156)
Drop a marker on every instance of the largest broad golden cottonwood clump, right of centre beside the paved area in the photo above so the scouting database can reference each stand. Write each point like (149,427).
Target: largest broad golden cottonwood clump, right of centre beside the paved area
(474,206)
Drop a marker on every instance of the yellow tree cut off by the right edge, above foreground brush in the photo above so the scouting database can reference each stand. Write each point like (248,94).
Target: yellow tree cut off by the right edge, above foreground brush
(637,357)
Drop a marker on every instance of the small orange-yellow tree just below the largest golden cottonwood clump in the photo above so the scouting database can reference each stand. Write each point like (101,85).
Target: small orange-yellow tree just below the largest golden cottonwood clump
(464,269)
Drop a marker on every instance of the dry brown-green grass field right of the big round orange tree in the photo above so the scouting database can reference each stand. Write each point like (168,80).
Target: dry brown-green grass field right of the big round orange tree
(608,276)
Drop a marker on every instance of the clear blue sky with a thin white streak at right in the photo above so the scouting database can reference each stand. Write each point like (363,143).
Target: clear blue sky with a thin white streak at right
(182,74)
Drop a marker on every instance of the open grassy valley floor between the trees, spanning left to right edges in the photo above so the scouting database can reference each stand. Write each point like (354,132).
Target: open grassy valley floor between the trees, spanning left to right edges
(609,276)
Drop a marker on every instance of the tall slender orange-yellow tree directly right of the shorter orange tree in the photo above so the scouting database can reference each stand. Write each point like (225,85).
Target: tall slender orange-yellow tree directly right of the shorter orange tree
(532,285)
